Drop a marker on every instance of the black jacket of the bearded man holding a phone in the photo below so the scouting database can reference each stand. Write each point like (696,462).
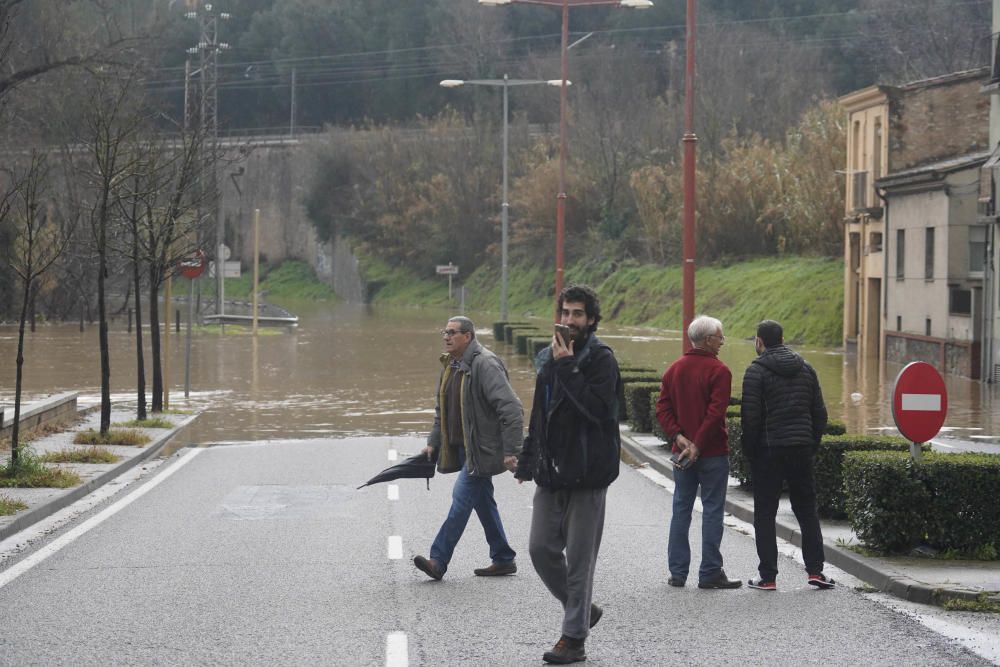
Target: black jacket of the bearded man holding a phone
(573,439)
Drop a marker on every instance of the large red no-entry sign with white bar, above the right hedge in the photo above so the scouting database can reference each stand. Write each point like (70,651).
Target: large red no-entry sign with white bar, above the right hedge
(919,402)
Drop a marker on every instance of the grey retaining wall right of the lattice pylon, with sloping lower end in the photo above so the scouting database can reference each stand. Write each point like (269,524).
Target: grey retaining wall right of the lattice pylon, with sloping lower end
(275,178)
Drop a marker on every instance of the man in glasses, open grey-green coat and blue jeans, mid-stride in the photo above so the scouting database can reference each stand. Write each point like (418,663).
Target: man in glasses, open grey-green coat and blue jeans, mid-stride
(477,432)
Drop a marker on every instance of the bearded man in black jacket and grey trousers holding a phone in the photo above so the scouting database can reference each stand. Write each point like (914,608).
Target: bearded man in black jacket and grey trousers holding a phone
(572,454)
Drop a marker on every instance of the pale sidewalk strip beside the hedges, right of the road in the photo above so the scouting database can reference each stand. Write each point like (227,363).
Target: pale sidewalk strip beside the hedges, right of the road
(922,580)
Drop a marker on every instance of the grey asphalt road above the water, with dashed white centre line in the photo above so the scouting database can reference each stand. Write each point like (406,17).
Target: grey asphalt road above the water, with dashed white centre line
(266,554)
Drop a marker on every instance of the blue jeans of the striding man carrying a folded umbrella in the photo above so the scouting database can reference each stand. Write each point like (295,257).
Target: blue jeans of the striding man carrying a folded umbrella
(471,493)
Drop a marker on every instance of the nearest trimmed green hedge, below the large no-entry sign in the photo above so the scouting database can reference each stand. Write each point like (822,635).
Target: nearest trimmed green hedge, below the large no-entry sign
(948,501)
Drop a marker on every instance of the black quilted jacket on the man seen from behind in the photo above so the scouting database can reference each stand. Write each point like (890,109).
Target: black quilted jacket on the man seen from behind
(782,403)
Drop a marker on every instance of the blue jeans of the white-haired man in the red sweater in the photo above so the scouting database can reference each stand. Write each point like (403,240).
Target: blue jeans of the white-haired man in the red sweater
(712,475)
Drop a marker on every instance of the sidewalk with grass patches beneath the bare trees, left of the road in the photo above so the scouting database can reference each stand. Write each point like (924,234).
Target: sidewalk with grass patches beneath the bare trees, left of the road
(43,502)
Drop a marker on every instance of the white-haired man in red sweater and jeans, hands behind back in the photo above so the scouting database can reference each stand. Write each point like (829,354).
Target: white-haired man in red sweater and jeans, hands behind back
(691,409)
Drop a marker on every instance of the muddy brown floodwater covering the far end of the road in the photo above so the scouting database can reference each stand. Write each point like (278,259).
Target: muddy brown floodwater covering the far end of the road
(351,370)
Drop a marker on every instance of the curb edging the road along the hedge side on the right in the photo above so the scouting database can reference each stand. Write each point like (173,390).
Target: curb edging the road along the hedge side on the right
(856,565)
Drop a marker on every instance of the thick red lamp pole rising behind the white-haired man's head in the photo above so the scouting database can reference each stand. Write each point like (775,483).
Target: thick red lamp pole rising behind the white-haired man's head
(690,141)
